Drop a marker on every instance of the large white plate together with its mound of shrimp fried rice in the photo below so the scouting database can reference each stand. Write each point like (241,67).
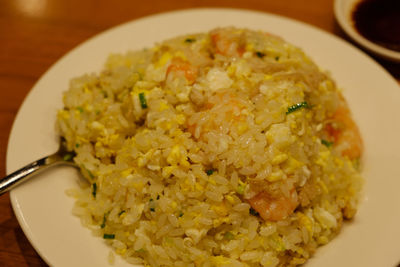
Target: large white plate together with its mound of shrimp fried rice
(212,137)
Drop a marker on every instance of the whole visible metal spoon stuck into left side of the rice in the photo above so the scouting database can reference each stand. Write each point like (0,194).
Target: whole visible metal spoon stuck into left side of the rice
(62,156)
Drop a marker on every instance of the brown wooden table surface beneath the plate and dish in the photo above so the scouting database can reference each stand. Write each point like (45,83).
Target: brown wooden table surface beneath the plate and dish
(36,33)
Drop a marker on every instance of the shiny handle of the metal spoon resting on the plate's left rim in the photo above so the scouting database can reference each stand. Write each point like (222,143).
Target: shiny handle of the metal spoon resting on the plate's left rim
(26,172)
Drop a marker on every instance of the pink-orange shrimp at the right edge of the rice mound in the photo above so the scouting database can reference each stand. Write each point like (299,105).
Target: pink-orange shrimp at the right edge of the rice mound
(344,132)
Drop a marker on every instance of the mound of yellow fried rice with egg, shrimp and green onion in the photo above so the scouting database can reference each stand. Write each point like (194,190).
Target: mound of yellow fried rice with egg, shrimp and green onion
(226,148)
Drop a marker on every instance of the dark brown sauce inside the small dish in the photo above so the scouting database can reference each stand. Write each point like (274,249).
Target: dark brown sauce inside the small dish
(379,21)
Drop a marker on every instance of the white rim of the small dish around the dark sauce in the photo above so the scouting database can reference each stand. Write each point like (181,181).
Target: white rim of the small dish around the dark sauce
(343,12)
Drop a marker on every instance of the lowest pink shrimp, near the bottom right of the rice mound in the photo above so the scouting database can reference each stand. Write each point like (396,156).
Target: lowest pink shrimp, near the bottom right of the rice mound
(274,208)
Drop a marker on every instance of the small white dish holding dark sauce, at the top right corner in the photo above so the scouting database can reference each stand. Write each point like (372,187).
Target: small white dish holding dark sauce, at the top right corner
(374,24)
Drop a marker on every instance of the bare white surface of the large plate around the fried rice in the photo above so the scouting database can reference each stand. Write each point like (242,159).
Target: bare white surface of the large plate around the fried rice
(44,211)
